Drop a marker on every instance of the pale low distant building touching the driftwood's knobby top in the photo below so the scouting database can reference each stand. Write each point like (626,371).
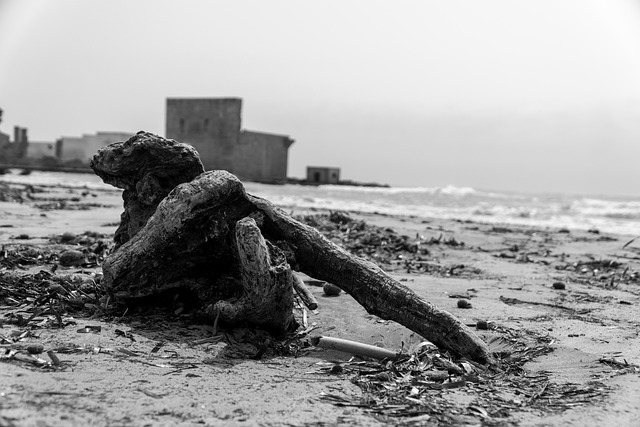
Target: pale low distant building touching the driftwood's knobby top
(79,150)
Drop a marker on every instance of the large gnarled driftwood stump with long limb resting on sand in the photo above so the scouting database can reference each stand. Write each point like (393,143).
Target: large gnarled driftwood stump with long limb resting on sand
(232,252)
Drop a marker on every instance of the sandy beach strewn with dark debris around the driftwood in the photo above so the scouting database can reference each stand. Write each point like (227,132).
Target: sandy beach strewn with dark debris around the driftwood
(565,301)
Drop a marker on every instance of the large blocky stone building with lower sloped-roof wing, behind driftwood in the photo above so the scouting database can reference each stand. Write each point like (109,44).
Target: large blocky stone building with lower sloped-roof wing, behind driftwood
(213,126)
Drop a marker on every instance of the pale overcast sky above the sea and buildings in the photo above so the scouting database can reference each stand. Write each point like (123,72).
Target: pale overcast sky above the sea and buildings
(495,94)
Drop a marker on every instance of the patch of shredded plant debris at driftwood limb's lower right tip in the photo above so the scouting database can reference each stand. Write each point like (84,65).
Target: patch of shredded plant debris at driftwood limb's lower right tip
(412,387)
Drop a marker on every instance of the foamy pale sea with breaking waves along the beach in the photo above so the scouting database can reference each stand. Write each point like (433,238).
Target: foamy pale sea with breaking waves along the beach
(607,214)
